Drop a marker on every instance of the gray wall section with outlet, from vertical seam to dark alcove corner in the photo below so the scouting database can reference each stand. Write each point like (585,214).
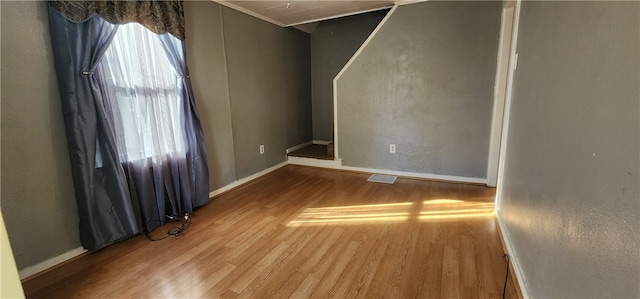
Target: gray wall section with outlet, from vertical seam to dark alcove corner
(260,56)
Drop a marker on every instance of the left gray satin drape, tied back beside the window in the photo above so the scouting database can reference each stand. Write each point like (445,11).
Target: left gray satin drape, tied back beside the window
(106,211)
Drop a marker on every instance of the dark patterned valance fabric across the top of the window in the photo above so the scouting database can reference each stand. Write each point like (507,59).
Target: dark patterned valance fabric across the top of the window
(158,16)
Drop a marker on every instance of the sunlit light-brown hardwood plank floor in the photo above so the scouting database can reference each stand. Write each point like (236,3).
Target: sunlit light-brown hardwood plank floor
(304,232)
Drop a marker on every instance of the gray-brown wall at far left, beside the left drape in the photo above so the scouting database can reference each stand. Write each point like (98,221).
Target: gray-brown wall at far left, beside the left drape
(38,200)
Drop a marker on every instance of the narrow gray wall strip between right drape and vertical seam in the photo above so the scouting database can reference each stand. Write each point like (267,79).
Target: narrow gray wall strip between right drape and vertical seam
(208,68)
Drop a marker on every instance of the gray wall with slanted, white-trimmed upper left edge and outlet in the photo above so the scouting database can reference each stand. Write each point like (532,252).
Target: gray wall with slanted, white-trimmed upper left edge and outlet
(424,83)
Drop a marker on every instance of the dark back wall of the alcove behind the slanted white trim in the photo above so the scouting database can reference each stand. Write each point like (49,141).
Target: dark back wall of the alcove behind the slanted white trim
(333,43)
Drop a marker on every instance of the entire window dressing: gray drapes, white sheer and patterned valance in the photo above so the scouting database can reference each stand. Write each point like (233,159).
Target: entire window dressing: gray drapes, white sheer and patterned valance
(133,111)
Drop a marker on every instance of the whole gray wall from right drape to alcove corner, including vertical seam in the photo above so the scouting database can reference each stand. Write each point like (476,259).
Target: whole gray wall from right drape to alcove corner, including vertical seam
(247,97)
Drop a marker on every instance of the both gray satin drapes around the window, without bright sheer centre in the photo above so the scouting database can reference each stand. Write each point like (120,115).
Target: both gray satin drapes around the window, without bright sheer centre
(118,199)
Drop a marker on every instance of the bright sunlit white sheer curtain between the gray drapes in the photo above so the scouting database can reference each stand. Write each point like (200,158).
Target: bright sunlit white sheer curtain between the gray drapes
(141,91)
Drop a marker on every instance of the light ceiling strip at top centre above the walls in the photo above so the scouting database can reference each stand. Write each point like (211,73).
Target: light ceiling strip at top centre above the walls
(296,12)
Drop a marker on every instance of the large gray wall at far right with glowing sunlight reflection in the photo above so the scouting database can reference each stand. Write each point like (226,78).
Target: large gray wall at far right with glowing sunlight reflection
(570,192)
